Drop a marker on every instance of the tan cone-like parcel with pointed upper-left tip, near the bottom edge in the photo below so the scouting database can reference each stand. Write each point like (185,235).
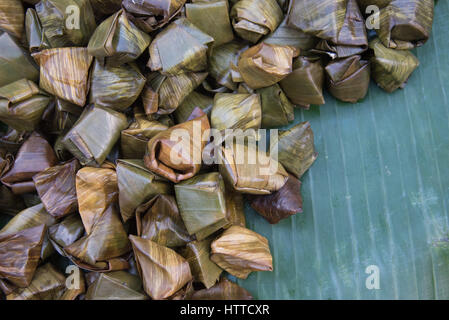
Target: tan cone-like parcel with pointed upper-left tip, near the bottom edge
(162,270)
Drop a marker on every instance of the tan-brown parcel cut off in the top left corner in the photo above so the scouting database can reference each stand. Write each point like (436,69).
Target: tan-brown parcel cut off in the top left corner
(12,17)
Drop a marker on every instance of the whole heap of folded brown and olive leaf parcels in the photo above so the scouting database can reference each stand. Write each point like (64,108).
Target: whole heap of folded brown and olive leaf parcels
(90,94)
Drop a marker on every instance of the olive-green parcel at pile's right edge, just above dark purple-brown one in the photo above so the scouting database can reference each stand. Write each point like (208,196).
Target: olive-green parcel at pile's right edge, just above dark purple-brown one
(295,148)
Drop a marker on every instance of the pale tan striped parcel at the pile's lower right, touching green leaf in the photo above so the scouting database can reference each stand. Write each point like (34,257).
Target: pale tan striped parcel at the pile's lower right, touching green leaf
(240,251)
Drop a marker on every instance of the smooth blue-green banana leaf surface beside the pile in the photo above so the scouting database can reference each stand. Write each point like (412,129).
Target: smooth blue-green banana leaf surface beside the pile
(377,195)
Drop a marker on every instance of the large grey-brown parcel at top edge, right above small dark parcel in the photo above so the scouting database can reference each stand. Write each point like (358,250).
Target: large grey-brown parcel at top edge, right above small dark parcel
(339,23)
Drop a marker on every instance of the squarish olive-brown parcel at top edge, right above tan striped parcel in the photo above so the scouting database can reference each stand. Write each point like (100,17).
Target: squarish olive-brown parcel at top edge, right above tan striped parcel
(66,23)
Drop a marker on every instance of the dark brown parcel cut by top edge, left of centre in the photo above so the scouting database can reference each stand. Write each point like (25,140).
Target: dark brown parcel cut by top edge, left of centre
(150,15)
